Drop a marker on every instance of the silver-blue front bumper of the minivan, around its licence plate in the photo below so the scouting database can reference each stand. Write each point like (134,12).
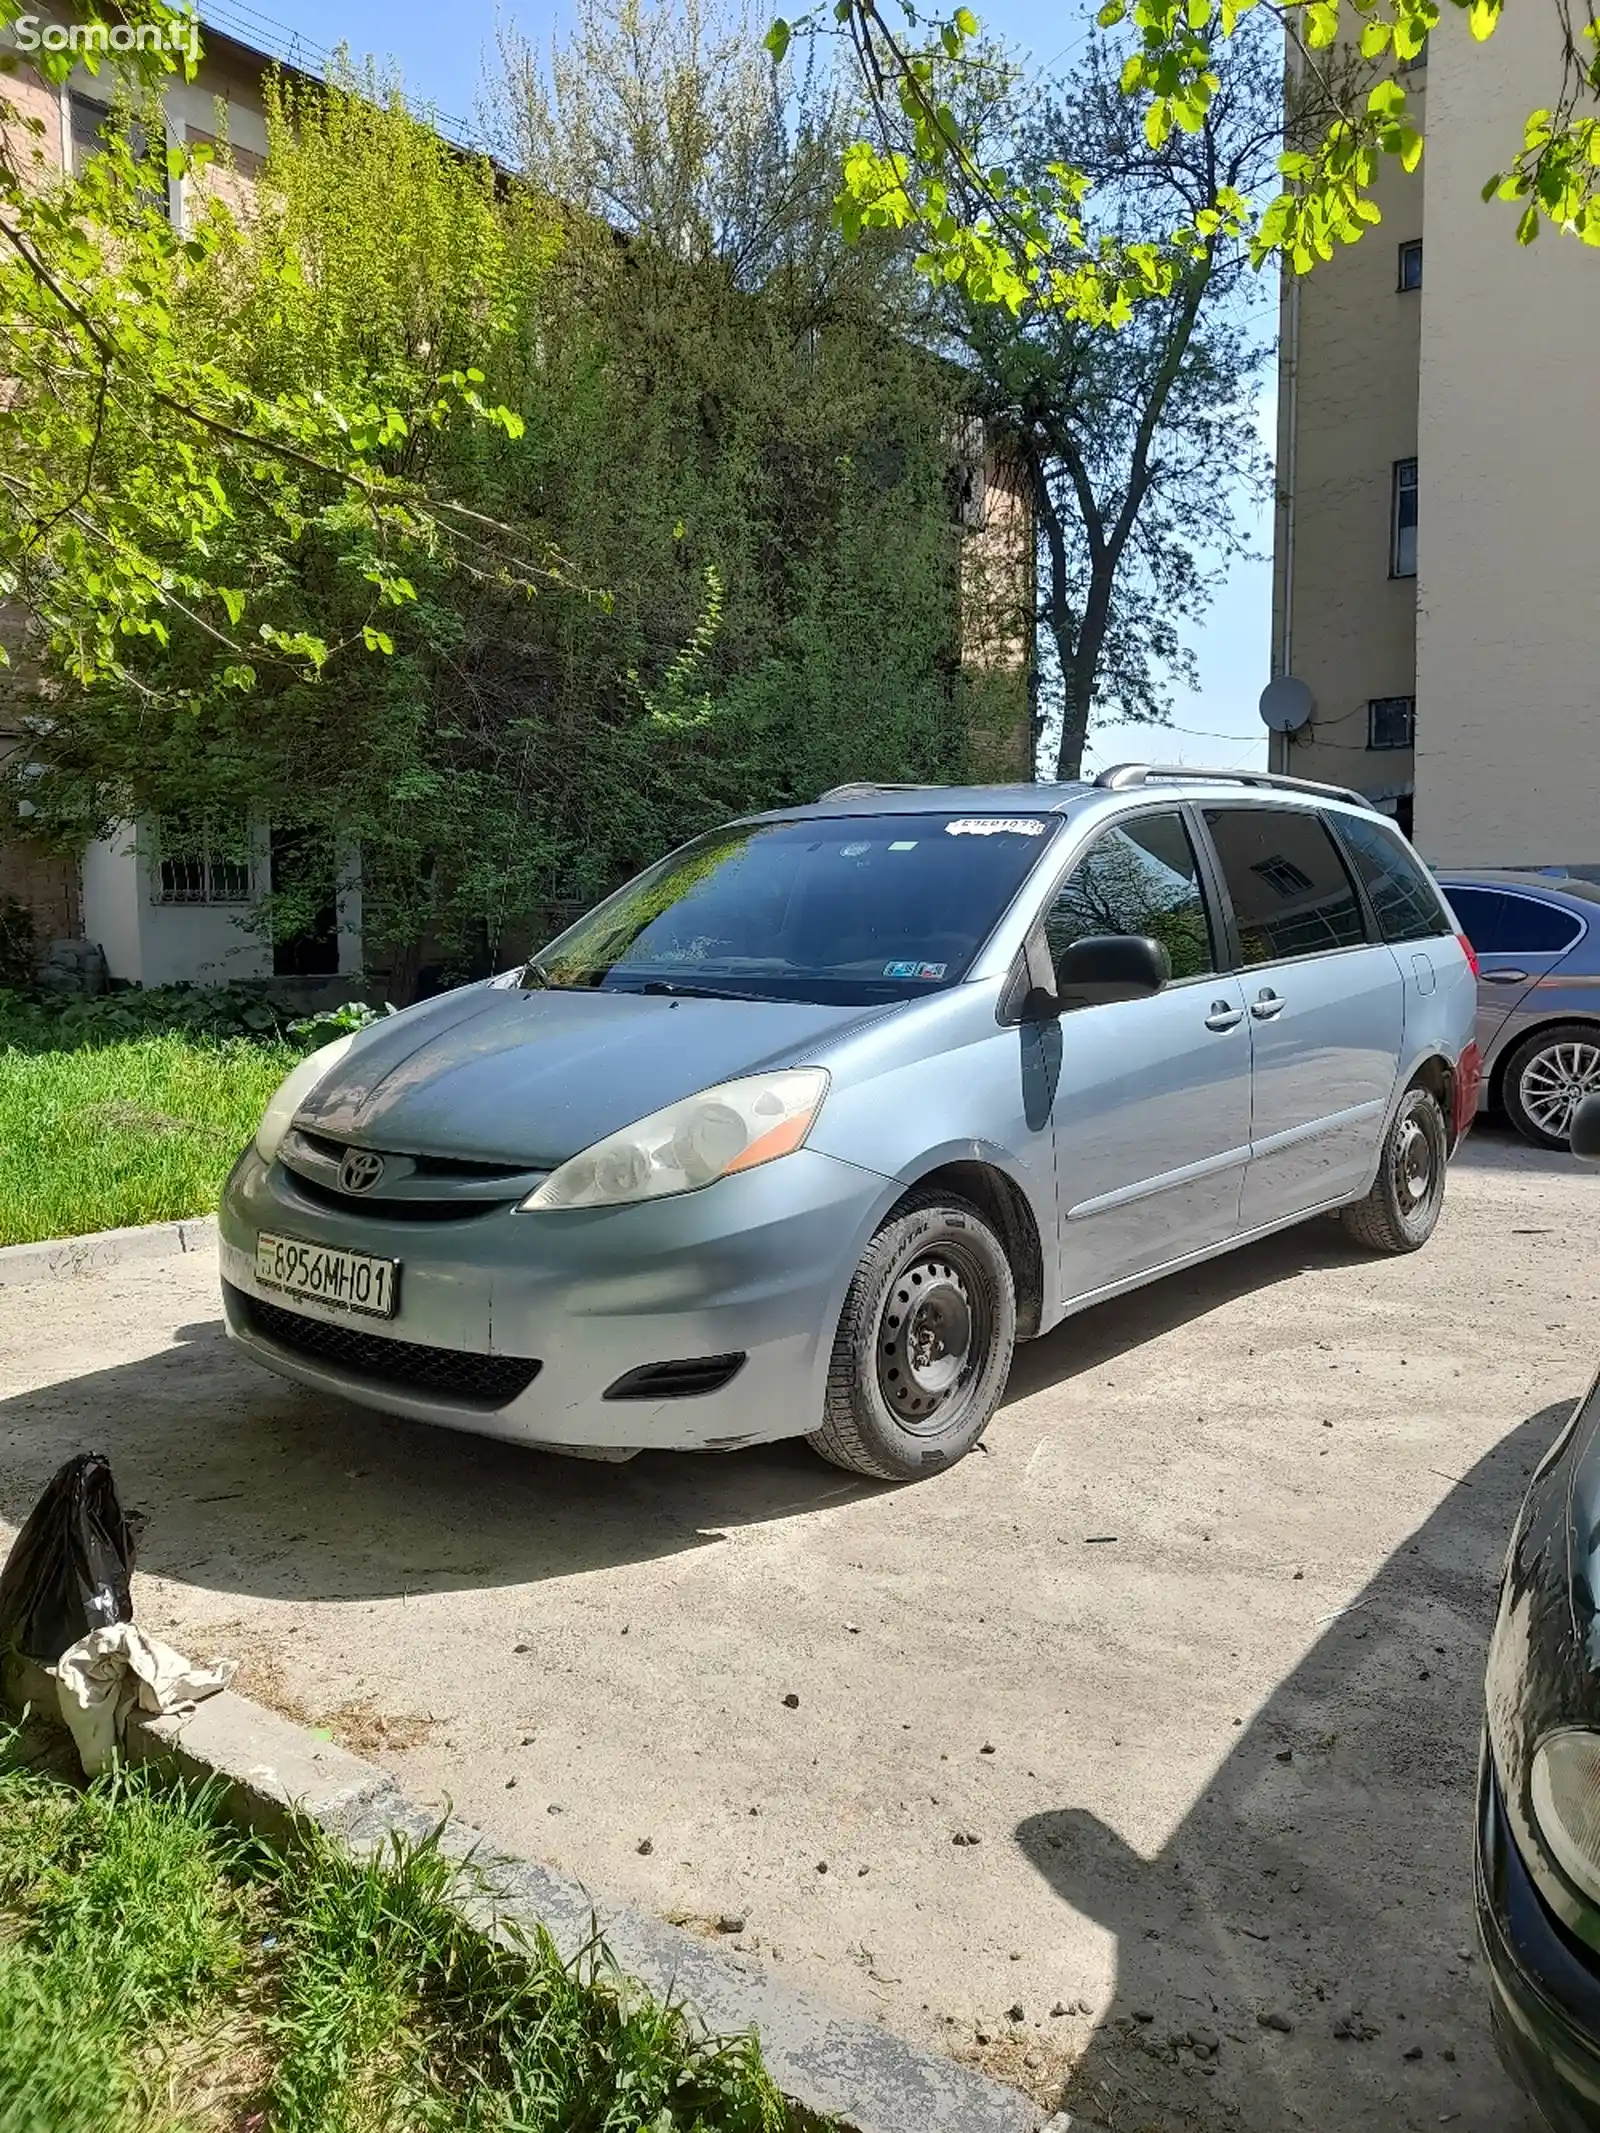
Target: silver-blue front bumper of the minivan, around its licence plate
(754,1266)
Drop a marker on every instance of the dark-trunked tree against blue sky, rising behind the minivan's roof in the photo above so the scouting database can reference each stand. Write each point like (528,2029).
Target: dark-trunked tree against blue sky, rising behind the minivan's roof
(1138,443)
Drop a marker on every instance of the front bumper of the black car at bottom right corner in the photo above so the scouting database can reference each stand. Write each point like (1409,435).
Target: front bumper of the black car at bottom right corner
(1546,1987)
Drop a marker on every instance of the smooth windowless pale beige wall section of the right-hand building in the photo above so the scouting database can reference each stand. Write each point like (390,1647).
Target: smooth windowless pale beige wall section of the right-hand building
(1509,654)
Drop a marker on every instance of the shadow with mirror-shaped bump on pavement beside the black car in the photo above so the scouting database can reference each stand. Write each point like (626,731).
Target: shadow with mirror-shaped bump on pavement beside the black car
(1364,1754)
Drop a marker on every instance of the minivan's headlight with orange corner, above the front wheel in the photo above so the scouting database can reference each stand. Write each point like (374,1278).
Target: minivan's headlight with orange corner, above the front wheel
(724,1129)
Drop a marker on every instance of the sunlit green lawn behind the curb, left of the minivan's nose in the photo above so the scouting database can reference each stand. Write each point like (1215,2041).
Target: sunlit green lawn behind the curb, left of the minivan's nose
(129,1132)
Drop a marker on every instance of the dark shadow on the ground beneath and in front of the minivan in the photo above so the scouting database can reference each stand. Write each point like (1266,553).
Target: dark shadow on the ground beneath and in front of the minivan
(253,1486)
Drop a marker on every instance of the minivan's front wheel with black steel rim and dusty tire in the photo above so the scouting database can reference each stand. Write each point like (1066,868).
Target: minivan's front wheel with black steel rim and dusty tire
(923,1347)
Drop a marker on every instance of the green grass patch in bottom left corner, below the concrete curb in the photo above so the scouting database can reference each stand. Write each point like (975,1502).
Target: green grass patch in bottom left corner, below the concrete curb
(161,1974)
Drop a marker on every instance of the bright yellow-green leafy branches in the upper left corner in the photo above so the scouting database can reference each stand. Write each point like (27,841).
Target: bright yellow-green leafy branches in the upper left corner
(129,445)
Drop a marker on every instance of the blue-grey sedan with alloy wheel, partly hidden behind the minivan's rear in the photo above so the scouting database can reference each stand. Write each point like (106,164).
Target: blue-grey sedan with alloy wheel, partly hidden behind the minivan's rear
(1539,993)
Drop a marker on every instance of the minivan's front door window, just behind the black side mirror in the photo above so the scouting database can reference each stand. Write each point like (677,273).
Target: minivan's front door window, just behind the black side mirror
(1140,878)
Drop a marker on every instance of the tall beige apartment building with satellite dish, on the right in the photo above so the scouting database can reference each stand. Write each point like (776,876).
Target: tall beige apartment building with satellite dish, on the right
(1437,475)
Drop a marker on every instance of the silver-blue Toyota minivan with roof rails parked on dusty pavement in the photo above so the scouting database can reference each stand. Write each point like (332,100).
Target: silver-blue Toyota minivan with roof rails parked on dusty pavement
(803,1129)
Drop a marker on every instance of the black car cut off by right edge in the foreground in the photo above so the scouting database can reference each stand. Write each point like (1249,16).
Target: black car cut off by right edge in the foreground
(1539,1793)
